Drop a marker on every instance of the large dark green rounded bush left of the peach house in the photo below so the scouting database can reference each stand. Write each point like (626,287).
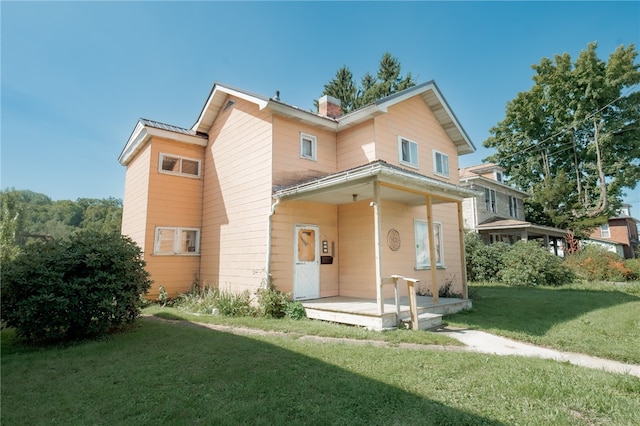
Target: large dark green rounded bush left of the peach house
(85,286)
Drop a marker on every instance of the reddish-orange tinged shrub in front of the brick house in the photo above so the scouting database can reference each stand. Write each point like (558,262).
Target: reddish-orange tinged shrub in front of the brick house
(595,263)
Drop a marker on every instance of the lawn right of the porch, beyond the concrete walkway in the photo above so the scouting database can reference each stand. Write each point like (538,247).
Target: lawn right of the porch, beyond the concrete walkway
(599,319)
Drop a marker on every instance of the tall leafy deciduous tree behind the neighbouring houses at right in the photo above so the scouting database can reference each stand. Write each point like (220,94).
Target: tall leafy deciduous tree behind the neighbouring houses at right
(573,140)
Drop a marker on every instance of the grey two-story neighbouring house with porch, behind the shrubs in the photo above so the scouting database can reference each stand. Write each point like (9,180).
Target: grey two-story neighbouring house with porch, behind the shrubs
(497,213)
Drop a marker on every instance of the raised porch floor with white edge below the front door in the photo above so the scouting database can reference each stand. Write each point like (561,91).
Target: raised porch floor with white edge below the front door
(364,312)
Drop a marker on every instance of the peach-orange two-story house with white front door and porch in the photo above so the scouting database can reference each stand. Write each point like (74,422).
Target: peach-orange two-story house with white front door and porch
(320,205)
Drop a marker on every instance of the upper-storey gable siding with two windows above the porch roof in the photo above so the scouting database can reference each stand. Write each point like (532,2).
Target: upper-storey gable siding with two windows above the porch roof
(414,120)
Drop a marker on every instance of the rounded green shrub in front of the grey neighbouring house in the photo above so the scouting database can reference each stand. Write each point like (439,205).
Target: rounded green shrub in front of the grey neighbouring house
(526,264)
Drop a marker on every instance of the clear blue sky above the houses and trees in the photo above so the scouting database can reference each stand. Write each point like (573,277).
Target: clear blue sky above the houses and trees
(76,76)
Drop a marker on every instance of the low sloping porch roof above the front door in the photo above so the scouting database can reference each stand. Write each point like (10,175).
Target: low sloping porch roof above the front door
(355,184)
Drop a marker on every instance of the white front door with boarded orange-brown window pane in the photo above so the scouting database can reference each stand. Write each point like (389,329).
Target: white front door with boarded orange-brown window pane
(306,259)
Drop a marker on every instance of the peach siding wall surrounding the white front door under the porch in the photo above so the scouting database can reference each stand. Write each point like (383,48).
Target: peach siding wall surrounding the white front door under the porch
(289,214)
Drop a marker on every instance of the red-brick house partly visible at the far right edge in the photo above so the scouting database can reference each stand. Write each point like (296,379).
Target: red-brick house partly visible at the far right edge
(619,235)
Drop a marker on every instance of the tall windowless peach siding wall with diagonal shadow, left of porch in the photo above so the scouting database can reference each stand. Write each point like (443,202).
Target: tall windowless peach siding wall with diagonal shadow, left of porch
(237,198)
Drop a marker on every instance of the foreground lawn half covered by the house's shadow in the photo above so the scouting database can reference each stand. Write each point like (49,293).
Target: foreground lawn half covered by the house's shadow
(181,374)
